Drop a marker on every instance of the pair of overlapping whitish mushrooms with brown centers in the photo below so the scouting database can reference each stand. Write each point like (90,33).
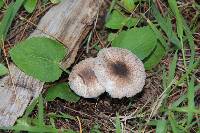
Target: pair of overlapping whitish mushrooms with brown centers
(115,70)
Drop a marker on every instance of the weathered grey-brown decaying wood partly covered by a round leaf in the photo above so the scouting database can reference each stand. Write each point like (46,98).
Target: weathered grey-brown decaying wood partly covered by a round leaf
(68,22)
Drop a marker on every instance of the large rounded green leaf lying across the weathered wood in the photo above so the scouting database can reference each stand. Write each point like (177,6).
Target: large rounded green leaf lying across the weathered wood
(39,57)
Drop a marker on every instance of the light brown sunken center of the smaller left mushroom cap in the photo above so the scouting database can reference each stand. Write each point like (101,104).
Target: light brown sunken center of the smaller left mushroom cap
(88,76)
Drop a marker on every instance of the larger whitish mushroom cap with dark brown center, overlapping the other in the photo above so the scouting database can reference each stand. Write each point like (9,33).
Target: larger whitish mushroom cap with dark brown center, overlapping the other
(120,71)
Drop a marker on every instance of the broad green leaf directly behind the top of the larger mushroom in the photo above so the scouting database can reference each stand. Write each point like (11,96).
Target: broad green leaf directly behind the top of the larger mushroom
(141,41)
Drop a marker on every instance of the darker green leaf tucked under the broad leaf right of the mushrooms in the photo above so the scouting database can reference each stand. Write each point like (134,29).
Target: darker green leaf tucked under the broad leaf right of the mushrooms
(155,58)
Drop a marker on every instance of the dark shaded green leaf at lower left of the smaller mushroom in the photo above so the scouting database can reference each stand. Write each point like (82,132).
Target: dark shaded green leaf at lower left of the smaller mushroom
(61,91)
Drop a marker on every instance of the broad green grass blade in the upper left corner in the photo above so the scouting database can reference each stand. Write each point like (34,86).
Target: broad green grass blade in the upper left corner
(8,18)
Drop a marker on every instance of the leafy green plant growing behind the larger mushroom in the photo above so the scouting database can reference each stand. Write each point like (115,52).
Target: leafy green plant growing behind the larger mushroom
(142,41)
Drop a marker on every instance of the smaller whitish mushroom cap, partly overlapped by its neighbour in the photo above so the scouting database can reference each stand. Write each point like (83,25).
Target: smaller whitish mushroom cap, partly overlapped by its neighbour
(82,80)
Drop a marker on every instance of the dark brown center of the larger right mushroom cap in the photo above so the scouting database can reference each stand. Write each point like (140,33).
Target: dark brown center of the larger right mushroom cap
(119,69)
